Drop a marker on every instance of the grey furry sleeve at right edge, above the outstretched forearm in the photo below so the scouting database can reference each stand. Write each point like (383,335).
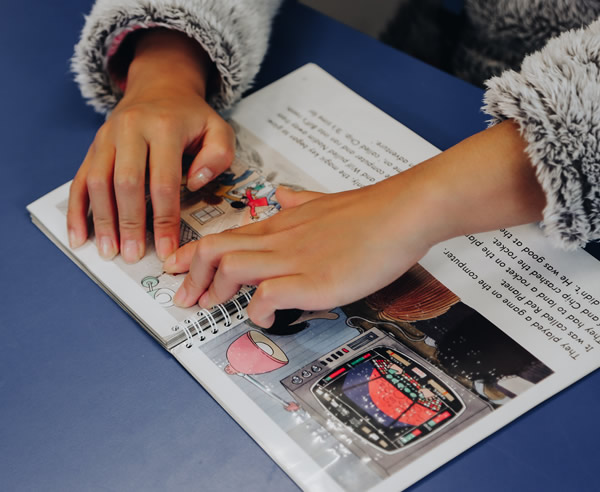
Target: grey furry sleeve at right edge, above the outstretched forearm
(555,99)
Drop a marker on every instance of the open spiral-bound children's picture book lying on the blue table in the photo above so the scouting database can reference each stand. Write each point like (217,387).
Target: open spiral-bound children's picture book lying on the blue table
(376,394)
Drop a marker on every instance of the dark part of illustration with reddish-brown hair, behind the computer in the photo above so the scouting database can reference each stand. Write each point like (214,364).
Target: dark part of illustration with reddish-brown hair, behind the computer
(439,327)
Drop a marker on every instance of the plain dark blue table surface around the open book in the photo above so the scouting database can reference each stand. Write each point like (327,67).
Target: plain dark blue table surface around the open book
(89,401)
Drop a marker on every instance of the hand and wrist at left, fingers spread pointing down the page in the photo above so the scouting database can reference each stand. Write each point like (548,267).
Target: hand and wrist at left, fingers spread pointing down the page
(163,114)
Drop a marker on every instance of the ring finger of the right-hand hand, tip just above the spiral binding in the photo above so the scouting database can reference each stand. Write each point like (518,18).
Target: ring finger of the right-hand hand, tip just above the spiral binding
(241,268)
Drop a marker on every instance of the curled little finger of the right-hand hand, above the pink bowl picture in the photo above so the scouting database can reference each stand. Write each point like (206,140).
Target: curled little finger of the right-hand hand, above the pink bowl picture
(287,292)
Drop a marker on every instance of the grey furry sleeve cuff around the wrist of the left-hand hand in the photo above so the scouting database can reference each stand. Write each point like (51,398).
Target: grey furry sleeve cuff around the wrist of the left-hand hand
(234,33)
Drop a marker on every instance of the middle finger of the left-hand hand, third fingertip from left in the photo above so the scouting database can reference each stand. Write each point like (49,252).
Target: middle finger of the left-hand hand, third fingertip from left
(130,168)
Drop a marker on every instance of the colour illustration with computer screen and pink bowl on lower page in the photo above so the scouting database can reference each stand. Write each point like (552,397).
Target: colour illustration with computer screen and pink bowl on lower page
(395,375)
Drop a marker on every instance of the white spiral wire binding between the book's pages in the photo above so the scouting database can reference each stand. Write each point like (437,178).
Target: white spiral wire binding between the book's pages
(219,315)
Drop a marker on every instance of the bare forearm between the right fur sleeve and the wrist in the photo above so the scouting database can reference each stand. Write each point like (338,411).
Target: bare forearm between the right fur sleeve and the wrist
(485,182)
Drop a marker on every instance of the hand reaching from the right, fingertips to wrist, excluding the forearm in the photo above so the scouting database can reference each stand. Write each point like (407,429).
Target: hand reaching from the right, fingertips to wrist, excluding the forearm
(319,252)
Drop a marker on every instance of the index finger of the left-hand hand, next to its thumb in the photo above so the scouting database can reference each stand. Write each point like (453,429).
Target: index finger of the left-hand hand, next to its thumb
(165,183)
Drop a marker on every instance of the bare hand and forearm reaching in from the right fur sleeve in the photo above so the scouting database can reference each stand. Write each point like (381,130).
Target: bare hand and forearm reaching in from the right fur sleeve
(323,251)
